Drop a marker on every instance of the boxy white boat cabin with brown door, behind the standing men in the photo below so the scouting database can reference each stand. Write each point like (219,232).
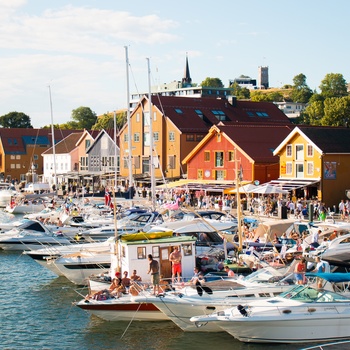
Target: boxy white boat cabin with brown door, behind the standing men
(134,255)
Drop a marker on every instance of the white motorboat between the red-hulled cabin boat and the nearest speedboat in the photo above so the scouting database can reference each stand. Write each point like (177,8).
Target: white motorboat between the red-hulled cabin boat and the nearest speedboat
(216,295)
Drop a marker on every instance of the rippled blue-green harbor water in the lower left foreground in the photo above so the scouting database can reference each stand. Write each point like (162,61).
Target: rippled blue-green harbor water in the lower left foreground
(37,311)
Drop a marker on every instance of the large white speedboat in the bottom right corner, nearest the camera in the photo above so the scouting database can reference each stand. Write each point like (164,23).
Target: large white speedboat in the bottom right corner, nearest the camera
(301,314)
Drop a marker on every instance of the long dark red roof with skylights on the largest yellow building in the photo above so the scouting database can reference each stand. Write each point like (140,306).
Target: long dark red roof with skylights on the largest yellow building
(199,114)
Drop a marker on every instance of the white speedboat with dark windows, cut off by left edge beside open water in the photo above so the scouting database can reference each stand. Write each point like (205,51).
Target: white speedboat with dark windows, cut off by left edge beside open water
(30,235)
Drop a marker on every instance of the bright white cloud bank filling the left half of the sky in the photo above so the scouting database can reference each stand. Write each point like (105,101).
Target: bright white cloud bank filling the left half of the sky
(78,51)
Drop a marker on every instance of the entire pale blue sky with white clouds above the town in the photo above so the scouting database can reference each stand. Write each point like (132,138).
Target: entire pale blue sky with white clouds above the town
(77,47)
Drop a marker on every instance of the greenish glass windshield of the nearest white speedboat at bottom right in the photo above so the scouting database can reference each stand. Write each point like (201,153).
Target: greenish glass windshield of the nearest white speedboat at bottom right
(312,295)
